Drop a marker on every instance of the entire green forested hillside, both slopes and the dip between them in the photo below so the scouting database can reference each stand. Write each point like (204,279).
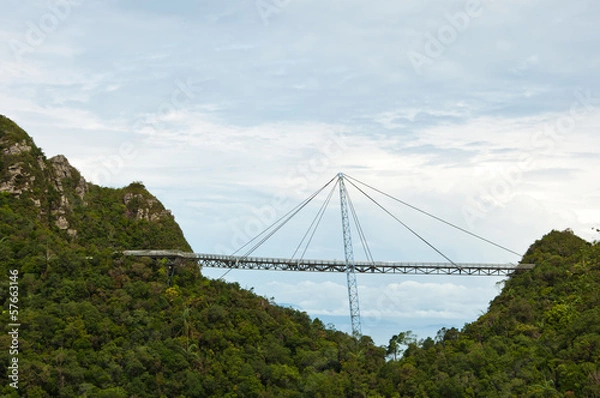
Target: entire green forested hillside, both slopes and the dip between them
(97,324)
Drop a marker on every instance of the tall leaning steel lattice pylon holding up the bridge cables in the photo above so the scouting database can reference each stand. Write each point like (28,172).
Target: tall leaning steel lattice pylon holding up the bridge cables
(350,264)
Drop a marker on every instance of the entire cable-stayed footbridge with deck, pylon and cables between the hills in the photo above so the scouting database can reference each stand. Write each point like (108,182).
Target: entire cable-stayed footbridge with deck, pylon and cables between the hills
(351,267)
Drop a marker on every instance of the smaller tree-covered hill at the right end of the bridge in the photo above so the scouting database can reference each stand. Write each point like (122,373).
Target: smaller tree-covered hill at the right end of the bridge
(539,338)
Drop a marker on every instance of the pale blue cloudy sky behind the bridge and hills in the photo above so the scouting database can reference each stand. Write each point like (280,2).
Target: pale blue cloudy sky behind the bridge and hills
(232,112)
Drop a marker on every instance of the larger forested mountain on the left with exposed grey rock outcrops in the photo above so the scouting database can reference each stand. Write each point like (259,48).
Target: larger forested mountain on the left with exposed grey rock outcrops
(97,324)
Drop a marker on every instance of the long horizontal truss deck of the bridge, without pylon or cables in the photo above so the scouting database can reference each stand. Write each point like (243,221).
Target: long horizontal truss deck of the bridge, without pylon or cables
(383,267)
